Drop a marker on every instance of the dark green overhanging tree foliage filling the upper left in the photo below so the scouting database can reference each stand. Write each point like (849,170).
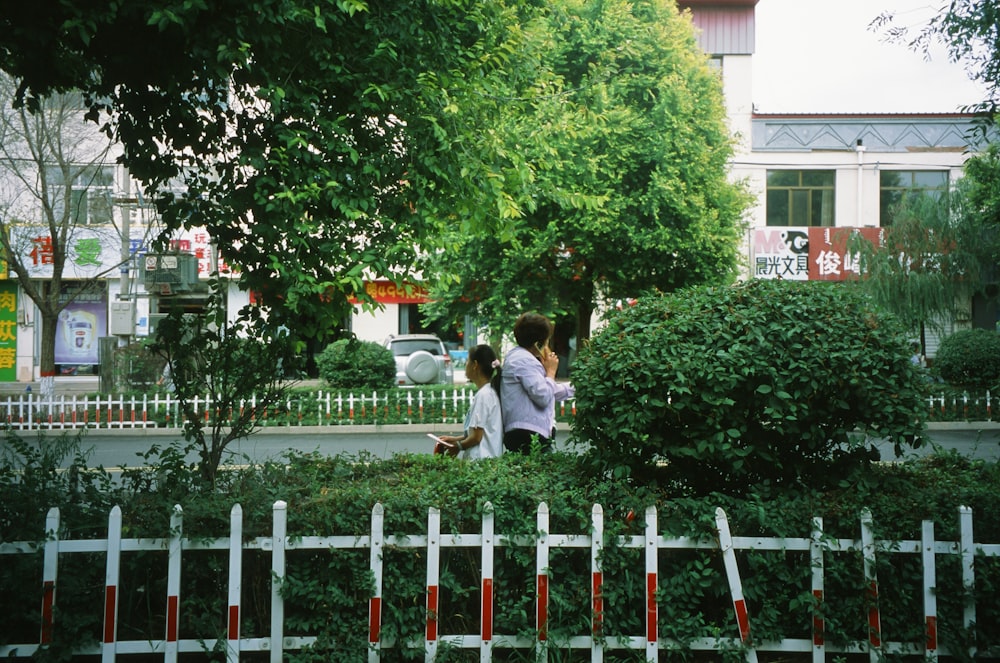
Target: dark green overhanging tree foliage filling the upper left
(318,142)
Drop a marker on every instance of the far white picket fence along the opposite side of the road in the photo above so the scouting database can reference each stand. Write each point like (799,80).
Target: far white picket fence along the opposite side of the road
(323,408)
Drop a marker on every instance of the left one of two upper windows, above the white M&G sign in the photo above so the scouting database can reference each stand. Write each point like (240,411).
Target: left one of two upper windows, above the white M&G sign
(800,197)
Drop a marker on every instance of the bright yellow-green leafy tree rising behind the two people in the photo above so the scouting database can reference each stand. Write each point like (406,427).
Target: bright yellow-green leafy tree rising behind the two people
(625,130)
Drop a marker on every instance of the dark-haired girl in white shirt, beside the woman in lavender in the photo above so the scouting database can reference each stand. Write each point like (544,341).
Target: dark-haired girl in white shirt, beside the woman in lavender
(483,436)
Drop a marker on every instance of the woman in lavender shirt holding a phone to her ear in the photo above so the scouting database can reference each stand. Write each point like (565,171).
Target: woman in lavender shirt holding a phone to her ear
(528,388)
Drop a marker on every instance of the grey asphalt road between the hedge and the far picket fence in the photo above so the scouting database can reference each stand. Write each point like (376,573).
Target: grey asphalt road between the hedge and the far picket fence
(122,448)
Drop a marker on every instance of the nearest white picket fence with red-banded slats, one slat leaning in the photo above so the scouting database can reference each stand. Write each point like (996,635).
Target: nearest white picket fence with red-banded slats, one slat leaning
(818,547)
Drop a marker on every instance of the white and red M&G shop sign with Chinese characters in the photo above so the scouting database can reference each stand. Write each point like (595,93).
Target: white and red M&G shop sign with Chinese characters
(806,254)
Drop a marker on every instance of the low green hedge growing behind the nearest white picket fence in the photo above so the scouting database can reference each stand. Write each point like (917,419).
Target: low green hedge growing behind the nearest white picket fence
(328,590)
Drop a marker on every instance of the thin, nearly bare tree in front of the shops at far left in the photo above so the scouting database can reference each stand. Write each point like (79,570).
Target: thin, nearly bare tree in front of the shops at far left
(59,229)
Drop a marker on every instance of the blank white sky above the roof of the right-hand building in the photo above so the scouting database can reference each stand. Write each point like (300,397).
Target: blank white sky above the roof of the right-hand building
(819,56)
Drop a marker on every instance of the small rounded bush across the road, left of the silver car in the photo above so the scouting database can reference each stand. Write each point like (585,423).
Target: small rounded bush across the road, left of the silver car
(354,364)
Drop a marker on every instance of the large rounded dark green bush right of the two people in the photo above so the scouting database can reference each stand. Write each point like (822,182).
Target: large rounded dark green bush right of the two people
(765,381)
